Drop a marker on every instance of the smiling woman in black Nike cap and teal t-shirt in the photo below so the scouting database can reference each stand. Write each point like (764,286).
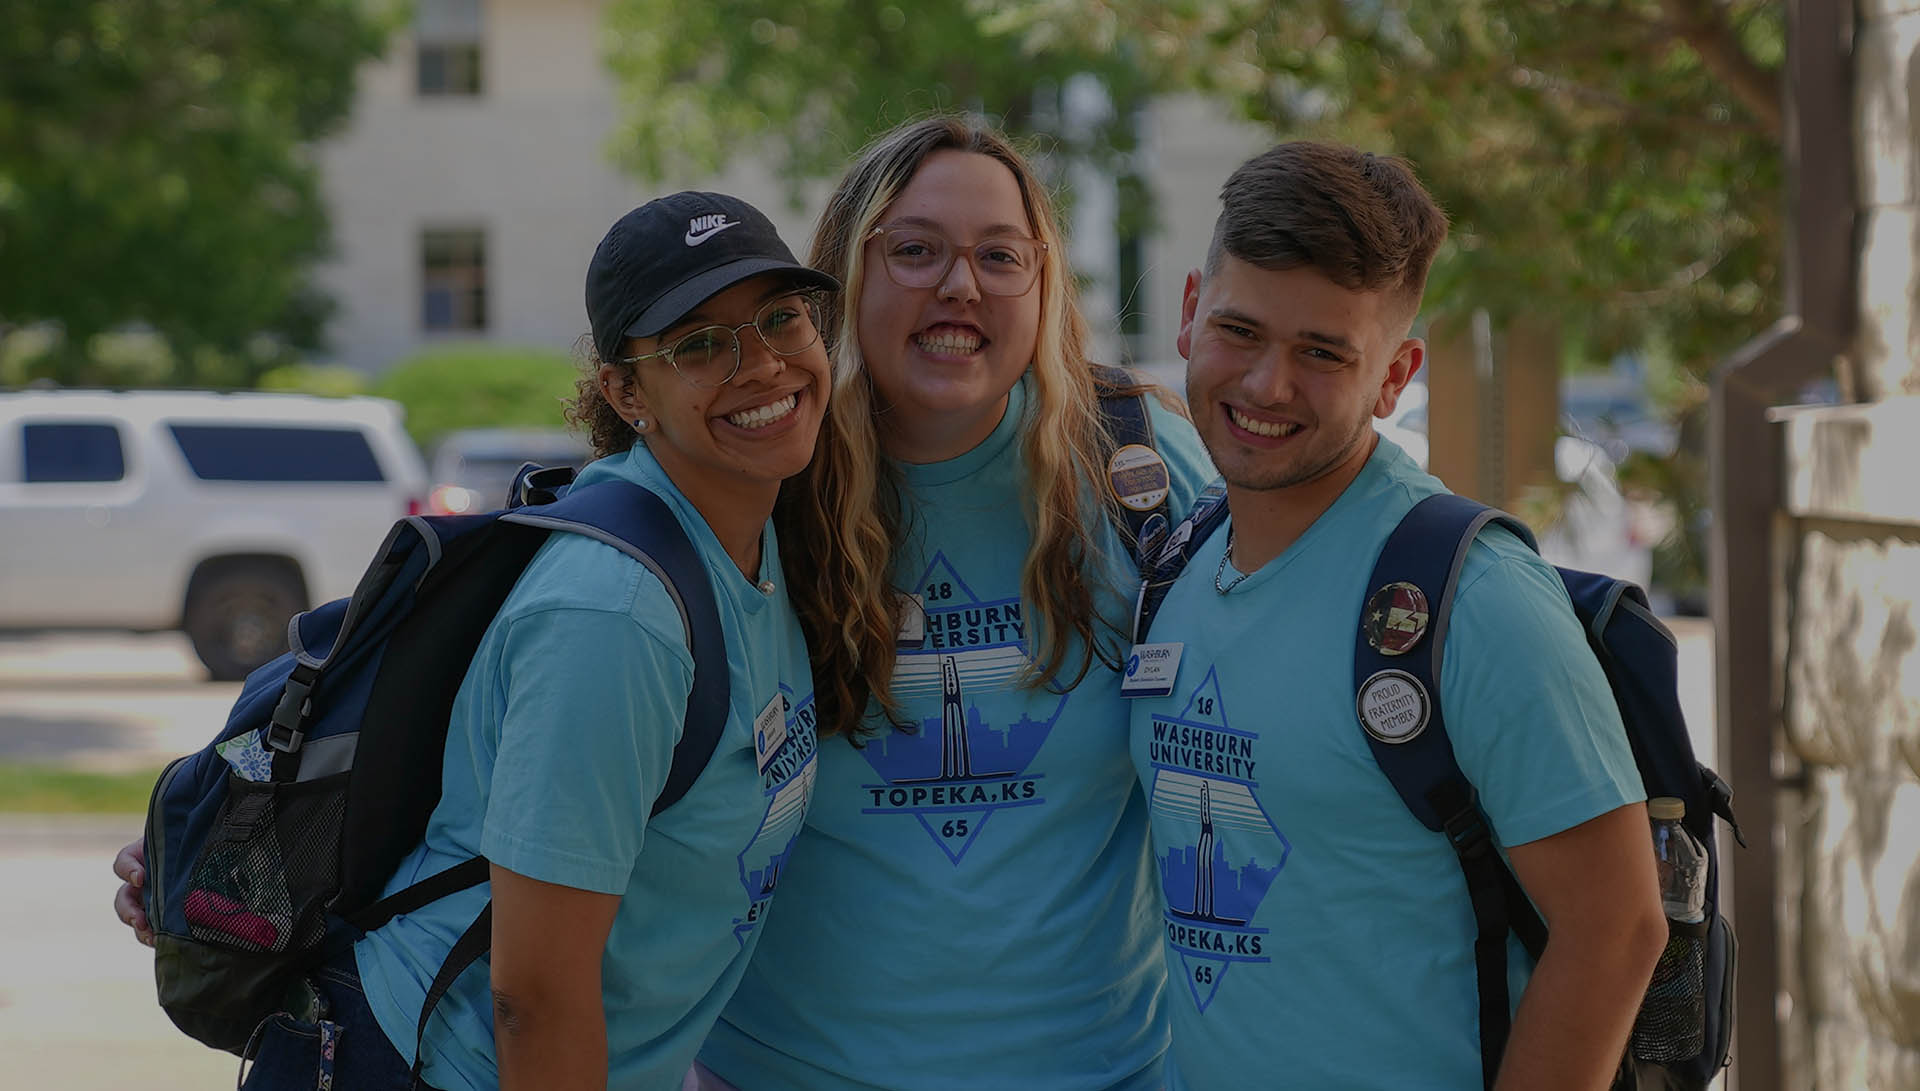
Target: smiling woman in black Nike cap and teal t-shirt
(617,938)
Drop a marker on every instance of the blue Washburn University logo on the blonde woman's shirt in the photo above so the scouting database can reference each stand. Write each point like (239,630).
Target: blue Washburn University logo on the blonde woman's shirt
(961,765)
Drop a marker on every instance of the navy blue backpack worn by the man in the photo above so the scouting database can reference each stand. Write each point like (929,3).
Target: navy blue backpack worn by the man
(1685,1027)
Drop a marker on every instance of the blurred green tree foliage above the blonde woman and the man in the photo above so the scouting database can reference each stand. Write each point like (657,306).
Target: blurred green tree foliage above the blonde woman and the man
(1610,164)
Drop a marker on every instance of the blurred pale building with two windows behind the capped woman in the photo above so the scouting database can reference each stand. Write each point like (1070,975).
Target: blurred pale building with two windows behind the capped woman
(473,182)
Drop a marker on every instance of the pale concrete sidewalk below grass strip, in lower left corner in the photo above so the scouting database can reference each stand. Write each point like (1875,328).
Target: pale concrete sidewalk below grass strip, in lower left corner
(78,1004)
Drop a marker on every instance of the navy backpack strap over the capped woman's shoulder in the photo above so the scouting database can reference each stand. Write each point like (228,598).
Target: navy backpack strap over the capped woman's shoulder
(640,525)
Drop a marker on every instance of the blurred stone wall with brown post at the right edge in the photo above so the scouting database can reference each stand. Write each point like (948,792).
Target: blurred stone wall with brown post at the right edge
(1817,579)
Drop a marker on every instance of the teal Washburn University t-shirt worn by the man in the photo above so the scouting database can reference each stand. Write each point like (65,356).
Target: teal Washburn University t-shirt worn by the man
(1318,934)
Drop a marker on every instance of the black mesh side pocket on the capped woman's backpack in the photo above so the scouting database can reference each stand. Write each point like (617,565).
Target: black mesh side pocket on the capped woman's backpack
(270,867)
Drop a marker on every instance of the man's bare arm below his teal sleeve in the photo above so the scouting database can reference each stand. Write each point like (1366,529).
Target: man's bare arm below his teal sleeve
(1598,892)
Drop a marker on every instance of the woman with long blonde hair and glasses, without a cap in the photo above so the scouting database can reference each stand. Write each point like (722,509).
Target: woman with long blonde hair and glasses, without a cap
(971,904)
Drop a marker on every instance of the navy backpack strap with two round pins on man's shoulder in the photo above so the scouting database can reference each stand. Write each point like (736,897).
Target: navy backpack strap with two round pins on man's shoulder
(1397,679)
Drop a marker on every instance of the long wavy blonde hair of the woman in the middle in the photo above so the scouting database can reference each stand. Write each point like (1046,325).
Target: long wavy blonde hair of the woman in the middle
(844,520)
